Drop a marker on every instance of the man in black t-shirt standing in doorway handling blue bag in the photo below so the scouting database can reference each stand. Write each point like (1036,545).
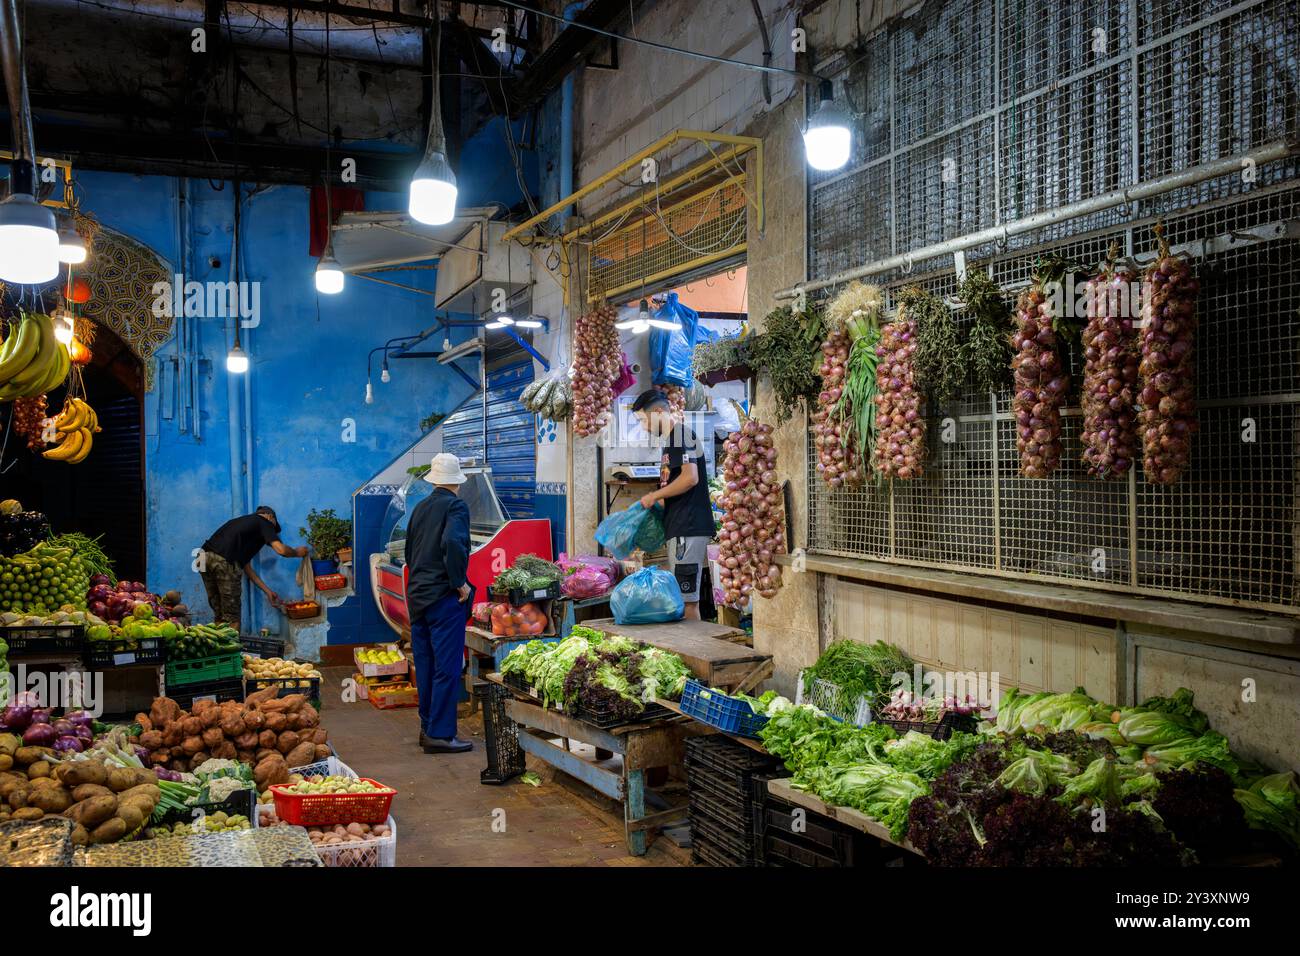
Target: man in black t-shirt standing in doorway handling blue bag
(688,517)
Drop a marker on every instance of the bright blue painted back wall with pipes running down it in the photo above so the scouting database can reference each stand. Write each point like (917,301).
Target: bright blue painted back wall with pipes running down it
(309,367)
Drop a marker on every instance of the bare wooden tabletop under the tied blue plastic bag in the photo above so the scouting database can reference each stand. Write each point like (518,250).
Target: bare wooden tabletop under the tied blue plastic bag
(707,648)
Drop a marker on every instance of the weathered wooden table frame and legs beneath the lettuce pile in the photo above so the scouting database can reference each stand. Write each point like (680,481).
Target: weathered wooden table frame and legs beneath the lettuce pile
(643,747)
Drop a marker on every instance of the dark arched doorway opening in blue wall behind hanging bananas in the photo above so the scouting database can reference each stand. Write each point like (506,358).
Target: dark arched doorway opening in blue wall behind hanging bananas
(103,495)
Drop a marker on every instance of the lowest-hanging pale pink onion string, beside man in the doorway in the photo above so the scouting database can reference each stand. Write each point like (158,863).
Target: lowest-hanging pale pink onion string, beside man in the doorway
(753,529)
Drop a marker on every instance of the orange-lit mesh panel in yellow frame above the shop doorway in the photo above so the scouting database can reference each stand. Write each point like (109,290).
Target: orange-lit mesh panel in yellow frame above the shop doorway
(671,237)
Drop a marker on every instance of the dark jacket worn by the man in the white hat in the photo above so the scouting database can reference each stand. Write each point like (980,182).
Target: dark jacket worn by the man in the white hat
(437,551)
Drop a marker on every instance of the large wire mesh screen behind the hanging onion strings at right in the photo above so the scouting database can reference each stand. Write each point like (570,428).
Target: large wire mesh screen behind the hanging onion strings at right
(985,113)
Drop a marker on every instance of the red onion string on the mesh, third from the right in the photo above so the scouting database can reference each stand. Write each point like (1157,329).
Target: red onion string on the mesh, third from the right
(1042,383)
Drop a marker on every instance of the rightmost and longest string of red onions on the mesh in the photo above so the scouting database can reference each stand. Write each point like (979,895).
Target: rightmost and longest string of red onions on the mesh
(1168,369)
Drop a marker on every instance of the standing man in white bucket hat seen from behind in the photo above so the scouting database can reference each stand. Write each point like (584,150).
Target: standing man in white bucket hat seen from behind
(437,552)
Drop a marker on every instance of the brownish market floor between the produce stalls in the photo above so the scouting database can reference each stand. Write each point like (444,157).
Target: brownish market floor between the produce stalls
(447,817)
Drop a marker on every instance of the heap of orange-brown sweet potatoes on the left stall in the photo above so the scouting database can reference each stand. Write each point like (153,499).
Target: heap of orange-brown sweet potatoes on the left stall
(272,734)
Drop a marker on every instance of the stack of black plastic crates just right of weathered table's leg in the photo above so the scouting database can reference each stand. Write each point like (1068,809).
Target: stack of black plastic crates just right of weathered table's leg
(721,778)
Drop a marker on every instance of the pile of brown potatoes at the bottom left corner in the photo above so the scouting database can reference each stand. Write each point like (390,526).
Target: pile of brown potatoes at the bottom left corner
(105,803)
